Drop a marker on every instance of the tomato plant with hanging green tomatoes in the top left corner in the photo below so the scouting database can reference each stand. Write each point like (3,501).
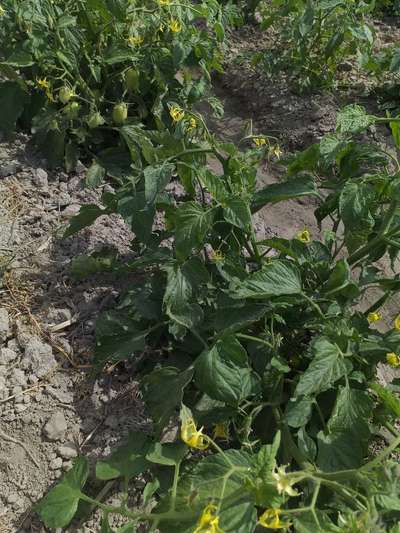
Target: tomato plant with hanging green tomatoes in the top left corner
(74,70)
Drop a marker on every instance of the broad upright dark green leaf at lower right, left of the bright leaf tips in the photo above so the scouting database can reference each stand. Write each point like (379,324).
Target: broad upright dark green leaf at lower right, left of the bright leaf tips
(346,441)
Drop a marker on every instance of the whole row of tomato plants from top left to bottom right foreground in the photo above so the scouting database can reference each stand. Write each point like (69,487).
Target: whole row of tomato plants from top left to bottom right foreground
(255,348)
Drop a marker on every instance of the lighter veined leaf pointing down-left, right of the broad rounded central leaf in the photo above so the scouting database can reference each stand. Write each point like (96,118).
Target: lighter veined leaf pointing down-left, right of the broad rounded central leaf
(327,366)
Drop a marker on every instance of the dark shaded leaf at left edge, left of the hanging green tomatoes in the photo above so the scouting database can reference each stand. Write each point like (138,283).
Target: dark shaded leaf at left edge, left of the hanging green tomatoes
(12,102)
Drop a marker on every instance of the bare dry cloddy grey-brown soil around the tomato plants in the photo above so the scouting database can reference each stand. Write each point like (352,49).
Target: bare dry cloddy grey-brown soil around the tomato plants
(51,407)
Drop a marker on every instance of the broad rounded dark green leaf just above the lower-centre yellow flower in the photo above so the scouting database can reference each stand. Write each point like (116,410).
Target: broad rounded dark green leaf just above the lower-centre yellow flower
(224,374)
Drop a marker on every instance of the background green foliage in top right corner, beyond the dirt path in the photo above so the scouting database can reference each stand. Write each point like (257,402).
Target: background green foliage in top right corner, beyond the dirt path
(314,41)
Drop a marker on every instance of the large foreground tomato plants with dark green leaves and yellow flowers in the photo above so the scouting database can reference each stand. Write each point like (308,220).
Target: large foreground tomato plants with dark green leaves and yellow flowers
(261,345)
